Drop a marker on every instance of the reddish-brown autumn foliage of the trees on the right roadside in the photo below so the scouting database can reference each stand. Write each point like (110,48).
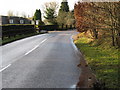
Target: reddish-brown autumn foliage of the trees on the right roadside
(102,19)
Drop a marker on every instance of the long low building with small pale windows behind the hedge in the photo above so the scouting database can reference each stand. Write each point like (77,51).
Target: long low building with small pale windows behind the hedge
(13,20)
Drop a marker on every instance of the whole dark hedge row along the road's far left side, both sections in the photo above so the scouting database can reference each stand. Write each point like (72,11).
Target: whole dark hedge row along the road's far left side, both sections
(11,30)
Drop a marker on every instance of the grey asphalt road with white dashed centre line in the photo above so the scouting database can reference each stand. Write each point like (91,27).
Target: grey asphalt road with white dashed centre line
(42,61)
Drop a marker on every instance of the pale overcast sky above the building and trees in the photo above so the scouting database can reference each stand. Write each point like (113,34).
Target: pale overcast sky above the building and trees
(26,6)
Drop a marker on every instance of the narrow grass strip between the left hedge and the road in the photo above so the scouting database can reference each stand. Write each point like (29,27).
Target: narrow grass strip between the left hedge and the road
(17,37)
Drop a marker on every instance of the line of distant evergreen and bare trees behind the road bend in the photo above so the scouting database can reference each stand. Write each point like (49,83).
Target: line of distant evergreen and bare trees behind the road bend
(63,17)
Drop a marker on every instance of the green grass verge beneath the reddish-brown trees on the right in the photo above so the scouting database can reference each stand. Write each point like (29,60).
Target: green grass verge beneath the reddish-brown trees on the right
(103,61)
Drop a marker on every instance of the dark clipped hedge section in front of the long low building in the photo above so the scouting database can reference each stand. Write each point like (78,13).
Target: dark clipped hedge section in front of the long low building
(13,30)
